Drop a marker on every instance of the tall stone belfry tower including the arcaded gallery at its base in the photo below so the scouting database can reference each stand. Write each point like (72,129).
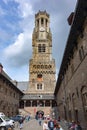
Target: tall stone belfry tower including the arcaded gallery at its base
(39,95)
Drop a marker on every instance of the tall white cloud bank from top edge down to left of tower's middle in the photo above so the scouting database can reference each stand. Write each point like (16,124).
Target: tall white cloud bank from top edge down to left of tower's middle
(19,50)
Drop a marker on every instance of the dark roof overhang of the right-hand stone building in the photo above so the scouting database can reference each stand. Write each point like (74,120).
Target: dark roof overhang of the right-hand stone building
(76,30)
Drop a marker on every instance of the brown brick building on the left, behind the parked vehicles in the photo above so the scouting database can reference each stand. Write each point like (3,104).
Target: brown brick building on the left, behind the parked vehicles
(10,95)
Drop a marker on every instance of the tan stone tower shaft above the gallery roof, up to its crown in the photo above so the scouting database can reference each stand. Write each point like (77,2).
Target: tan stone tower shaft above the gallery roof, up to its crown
(42,65)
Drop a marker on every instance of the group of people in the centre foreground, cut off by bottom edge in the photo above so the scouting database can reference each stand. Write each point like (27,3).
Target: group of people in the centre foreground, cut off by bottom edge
(51,125)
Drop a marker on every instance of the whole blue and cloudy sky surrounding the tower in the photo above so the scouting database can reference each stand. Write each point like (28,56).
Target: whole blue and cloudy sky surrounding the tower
(17,21)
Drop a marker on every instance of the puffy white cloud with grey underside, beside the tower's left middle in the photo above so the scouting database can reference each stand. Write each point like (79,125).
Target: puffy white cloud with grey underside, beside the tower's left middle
(18,51)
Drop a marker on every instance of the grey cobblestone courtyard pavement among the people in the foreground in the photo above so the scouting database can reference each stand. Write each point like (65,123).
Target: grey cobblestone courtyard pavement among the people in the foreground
(34,125)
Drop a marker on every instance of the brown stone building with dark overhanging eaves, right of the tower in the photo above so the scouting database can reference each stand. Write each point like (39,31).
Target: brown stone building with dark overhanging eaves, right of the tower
(71,87)
